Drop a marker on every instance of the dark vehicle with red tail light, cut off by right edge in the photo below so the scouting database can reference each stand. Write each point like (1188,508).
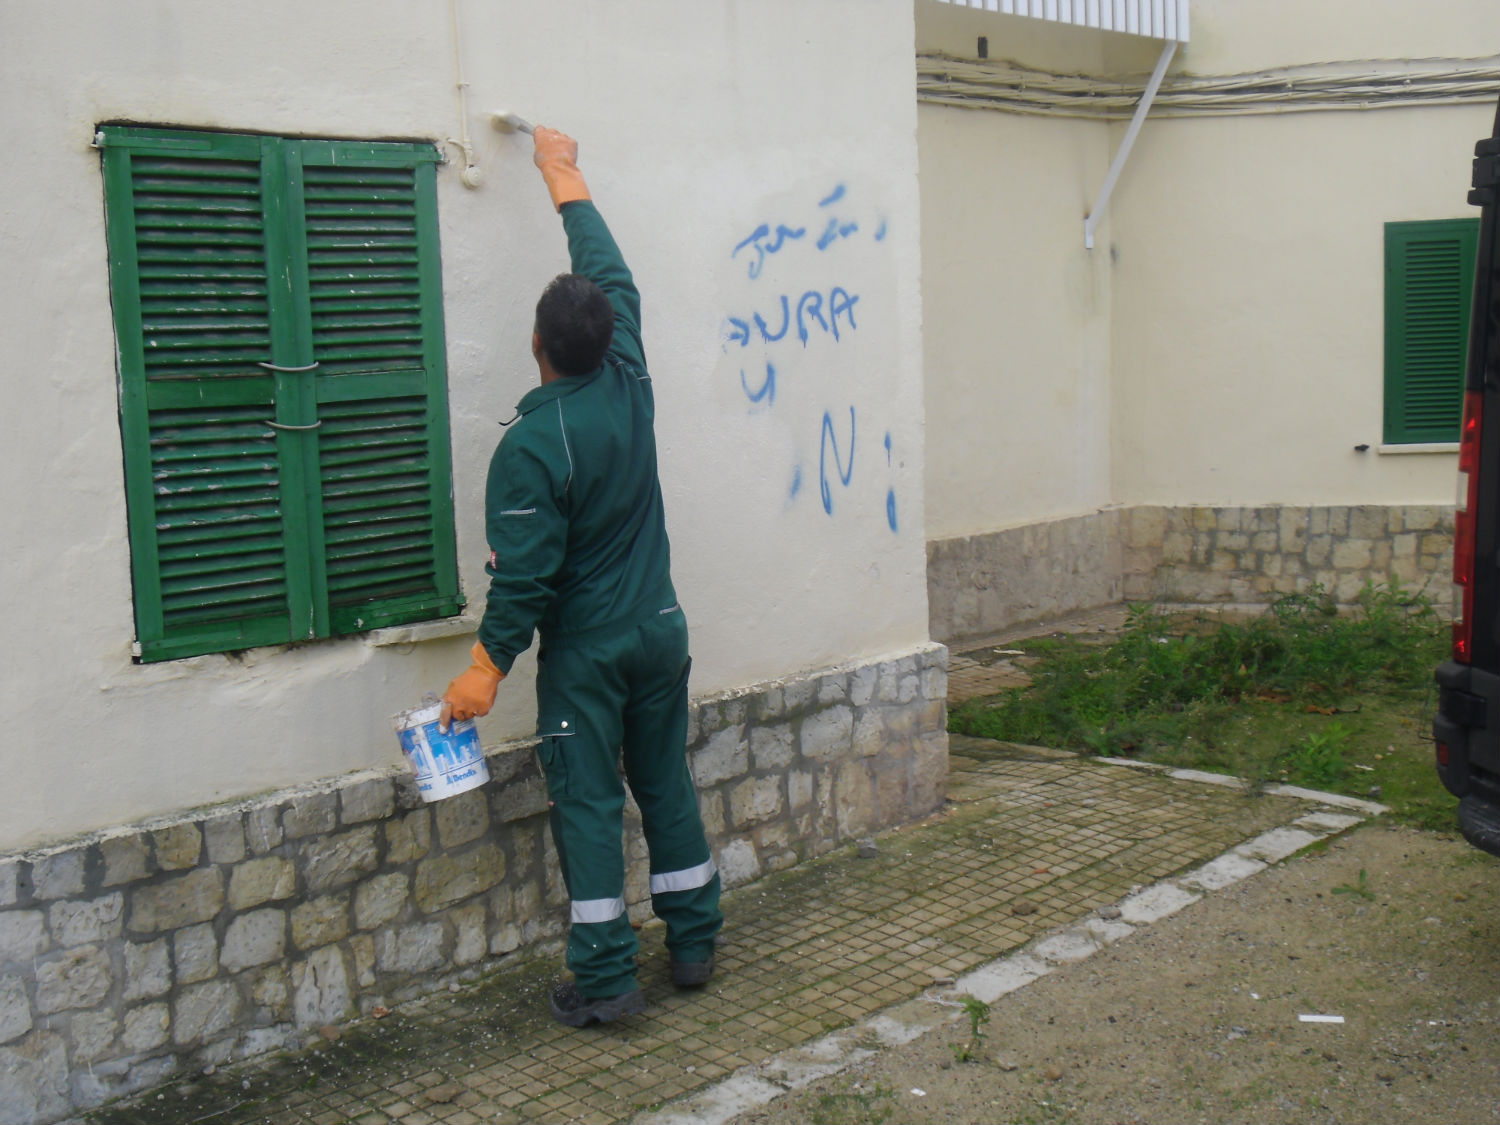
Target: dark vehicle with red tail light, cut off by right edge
(1468,727)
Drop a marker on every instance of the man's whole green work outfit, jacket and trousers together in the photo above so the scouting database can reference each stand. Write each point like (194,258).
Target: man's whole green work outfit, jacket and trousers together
(580,553)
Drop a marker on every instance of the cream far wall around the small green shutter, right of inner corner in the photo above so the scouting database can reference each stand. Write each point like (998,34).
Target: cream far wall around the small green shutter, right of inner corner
(1249,290)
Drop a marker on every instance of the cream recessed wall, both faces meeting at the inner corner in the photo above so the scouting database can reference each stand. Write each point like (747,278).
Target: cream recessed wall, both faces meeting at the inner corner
(1223,343)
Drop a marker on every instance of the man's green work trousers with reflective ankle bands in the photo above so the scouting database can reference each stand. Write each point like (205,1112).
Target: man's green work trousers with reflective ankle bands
(625,698)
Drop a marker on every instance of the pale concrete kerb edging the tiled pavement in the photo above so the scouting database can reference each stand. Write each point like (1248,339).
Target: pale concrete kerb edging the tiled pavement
(800,1067)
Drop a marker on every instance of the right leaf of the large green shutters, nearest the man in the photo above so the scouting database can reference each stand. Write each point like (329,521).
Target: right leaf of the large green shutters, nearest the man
(377,331)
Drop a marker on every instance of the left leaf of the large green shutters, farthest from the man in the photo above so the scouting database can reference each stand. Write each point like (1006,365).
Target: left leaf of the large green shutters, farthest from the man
(193,308)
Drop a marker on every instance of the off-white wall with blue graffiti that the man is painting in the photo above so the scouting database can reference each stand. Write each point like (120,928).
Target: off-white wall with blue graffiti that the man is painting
(698,122)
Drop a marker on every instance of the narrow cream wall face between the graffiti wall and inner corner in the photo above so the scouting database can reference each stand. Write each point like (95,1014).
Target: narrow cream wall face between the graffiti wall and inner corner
(1016,311)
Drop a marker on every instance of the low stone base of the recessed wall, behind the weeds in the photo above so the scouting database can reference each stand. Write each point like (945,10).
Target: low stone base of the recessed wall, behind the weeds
(985,584)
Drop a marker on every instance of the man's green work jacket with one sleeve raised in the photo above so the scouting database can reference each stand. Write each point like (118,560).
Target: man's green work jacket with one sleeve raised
(574,506)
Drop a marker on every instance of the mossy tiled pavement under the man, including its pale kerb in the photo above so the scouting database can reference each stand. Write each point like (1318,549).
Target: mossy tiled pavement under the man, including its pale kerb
(820,965)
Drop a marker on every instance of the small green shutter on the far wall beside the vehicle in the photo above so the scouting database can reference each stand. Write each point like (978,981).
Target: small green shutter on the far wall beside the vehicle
(1430,278)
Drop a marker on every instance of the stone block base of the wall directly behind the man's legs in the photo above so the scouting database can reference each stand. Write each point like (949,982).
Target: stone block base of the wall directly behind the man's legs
(139,953)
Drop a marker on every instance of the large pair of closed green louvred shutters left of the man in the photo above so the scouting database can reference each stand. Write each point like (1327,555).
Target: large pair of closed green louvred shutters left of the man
(248,278)
